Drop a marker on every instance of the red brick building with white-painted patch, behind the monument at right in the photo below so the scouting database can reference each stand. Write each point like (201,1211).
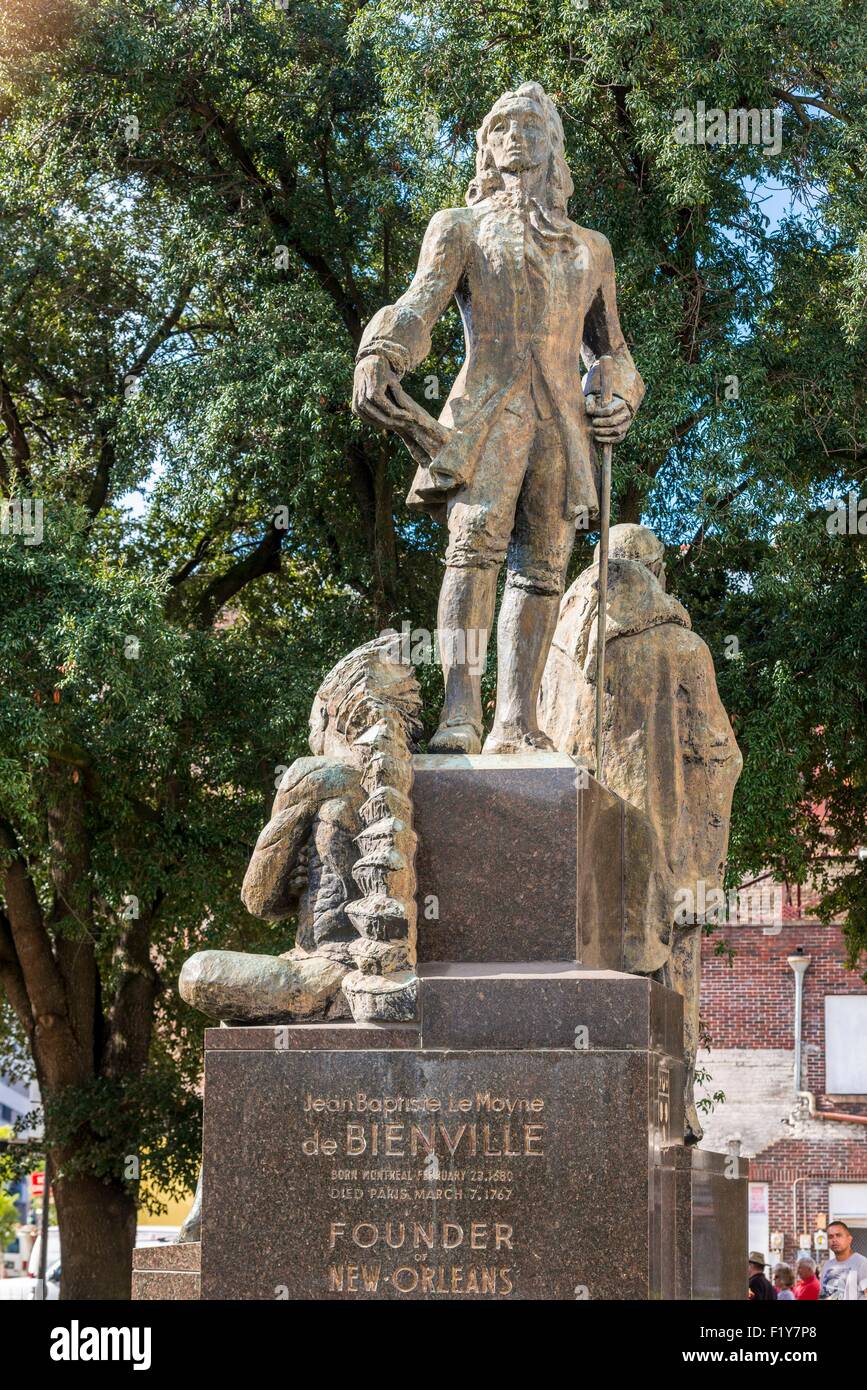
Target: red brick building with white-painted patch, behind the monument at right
(807,1143)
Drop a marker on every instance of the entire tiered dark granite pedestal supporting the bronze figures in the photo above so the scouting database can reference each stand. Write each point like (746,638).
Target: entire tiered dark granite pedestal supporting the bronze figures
(523,1139)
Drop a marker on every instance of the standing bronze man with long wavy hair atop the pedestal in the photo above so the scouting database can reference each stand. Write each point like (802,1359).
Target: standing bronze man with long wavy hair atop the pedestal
(509,466)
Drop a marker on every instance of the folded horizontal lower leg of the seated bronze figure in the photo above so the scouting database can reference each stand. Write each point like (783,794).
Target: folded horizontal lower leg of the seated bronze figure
(254,989)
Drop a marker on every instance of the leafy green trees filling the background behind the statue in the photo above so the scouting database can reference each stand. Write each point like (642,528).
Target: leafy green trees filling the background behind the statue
(201,208)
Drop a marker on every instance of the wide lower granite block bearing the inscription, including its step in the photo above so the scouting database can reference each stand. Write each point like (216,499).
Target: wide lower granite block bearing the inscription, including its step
(494,1167)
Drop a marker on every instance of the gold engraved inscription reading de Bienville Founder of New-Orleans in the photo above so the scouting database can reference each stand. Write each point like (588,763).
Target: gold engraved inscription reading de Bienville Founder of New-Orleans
(462,1152)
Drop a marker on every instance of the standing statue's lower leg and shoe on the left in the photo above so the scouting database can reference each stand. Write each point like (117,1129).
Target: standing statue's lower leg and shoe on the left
(465,618)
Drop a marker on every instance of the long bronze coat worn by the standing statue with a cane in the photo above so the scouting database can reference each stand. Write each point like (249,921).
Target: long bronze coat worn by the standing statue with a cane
(536,293)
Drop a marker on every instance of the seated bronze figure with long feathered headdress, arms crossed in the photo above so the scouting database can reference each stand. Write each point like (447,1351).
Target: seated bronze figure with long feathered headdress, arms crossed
(341,847)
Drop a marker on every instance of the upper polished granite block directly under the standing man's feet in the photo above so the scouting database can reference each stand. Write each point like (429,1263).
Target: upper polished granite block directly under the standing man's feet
(519,860)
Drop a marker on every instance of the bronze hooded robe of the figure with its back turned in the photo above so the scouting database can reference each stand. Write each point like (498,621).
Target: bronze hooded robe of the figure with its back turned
(669,749)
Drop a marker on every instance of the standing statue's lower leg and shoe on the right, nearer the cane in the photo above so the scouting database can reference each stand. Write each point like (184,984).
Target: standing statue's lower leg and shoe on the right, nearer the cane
(525,637)
